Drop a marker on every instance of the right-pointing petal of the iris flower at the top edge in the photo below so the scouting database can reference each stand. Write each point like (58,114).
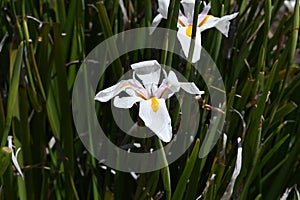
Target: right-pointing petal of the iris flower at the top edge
(222,24)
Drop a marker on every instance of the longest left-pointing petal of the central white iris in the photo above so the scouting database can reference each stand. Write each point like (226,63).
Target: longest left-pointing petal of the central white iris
(108,93)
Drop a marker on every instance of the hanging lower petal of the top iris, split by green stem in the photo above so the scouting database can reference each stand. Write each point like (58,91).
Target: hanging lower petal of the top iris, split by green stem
(185,42)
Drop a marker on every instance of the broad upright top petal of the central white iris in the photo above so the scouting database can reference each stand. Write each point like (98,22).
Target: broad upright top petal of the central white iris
(148,72)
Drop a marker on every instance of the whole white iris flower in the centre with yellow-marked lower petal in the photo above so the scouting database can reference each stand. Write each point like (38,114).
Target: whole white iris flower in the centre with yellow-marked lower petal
(150,95)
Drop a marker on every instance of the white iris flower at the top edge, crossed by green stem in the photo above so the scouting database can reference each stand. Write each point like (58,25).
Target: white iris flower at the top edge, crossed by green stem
(204,21)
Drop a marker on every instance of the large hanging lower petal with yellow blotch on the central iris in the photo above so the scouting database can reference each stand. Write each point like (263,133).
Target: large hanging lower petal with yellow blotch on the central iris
(155,115)
